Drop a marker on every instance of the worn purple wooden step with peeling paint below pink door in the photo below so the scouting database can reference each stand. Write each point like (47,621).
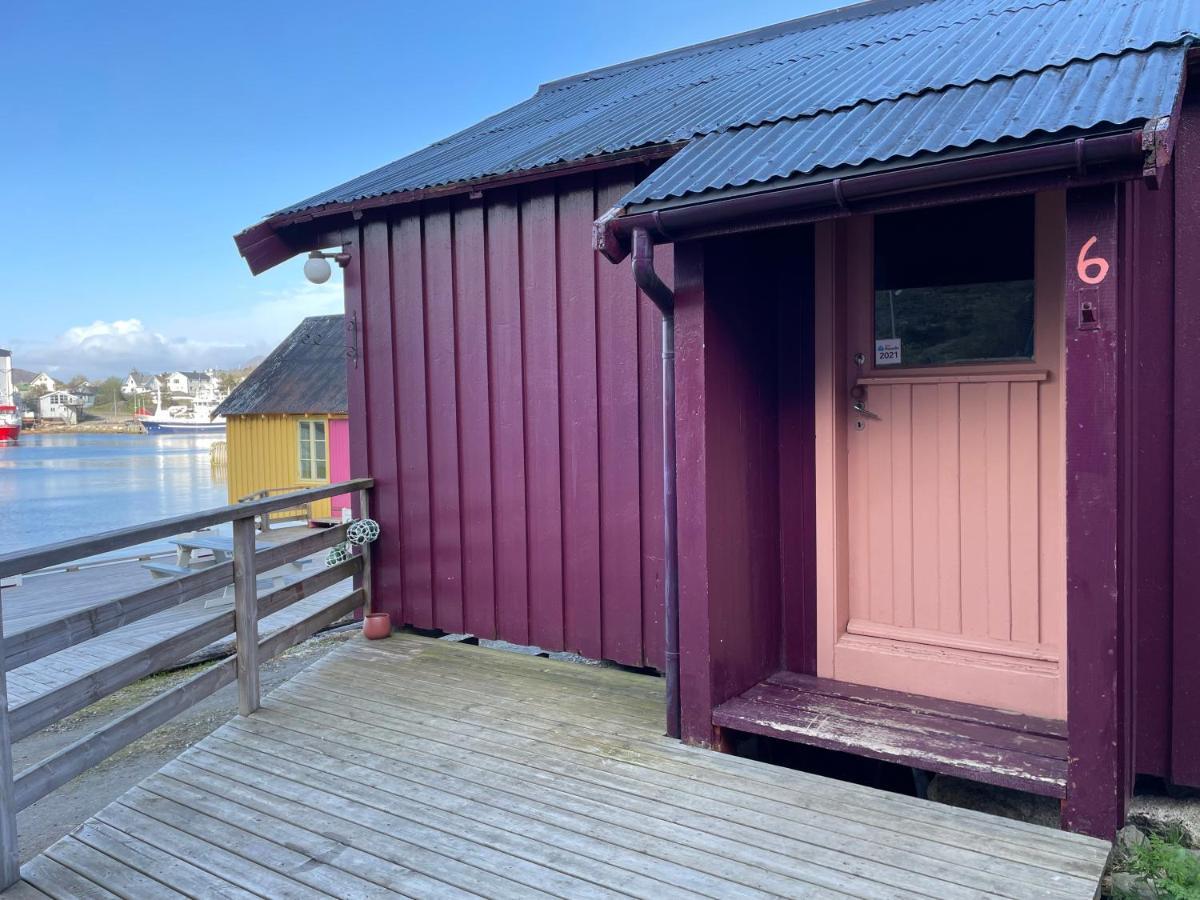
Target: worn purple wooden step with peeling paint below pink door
(971,742)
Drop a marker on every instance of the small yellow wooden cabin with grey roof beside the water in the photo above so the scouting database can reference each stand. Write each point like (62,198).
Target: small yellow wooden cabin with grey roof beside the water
(287,423)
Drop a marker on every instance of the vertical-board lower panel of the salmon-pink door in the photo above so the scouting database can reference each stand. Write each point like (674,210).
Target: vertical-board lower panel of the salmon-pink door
(955,471)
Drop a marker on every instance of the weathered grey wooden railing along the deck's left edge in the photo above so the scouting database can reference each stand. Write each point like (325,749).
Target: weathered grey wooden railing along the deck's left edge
(20,790)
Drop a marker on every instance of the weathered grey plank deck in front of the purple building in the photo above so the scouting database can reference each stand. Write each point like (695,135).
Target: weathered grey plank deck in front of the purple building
(413,767)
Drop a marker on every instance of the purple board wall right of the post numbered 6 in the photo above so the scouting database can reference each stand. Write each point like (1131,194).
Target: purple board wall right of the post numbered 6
(1163,231)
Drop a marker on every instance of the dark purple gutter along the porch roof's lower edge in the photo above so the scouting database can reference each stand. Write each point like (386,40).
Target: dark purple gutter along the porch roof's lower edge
(1143,152)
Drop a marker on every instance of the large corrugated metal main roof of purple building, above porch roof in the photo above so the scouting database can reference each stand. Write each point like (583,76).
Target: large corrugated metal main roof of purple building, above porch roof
(811,68)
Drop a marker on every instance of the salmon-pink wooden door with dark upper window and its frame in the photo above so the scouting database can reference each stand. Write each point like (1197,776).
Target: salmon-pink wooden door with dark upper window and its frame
(943,544)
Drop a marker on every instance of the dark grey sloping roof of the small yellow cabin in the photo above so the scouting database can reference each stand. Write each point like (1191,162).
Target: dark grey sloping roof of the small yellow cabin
(307,374)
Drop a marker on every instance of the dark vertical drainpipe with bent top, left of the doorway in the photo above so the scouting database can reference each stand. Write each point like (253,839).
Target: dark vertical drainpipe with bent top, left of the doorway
(649,280)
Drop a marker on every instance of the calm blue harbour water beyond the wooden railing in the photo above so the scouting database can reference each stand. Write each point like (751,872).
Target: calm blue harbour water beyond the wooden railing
(61,487)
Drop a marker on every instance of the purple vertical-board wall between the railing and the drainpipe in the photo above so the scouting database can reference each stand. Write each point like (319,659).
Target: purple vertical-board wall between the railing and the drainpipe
(507,401)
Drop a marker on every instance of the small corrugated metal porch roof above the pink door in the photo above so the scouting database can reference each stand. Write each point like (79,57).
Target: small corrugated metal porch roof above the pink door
(1114,91)
